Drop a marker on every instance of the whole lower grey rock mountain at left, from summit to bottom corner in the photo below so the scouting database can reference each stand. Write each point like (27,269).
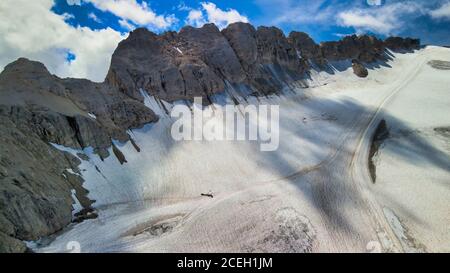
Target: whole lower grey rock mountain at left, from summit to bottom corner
(36,180)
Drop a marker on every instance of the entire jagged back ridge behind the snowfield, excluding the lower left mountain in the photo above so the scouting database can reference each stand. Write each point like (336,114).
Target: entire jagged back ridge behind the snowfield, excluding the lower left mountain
(203,61)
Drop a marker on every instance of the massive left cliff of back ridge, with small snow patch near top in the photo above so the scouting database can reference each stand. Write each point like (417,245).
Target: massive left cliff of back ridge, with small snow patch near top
(174,66)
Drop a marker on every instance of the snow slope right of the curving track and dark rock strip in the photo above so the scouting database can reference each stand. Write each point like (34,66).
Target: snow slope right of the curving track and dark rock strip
(414,164)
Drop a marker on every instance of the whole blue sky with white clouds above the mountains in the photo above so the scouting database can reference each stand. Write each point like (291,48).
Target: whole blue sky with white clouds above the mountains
(75,38)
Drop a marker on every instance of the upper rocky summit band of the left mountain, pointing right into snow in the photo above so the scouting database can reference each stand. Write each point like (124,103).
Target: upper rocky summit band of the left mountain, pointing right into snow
(71,112)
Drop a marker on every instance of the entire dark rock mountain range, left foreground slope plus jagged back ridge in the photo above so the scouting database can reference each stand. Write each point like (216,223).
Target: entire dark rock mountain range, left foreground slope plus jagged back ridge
(39,110)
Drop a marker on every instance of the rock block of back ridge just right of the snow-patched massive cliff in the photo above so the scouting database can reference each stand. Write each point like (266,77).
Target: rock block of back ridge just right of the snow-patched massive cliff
(267,57)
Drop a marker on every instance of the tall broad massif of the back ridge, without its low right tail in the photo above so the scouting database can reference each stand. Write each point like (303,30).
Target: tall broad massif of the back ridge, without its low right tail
(200,61)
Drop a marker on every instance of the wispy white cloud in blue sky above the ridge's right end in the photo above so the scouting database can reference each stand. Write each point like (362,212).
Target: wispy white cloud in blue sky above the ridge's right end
(385,20)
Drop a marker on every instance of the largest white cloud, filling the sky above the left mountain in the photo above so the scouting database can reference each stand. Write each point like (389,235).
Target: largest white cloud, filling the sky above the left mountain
(30,29)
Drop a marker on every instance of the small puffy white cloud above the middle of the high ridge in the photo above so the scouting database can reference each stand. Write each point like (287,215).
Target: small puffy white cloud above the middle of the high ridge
(210,13)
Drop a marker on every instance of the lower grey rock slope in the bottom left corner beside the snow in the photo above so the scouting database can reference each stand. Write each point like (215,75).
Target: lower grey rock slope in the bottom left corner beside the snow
(35,198)
